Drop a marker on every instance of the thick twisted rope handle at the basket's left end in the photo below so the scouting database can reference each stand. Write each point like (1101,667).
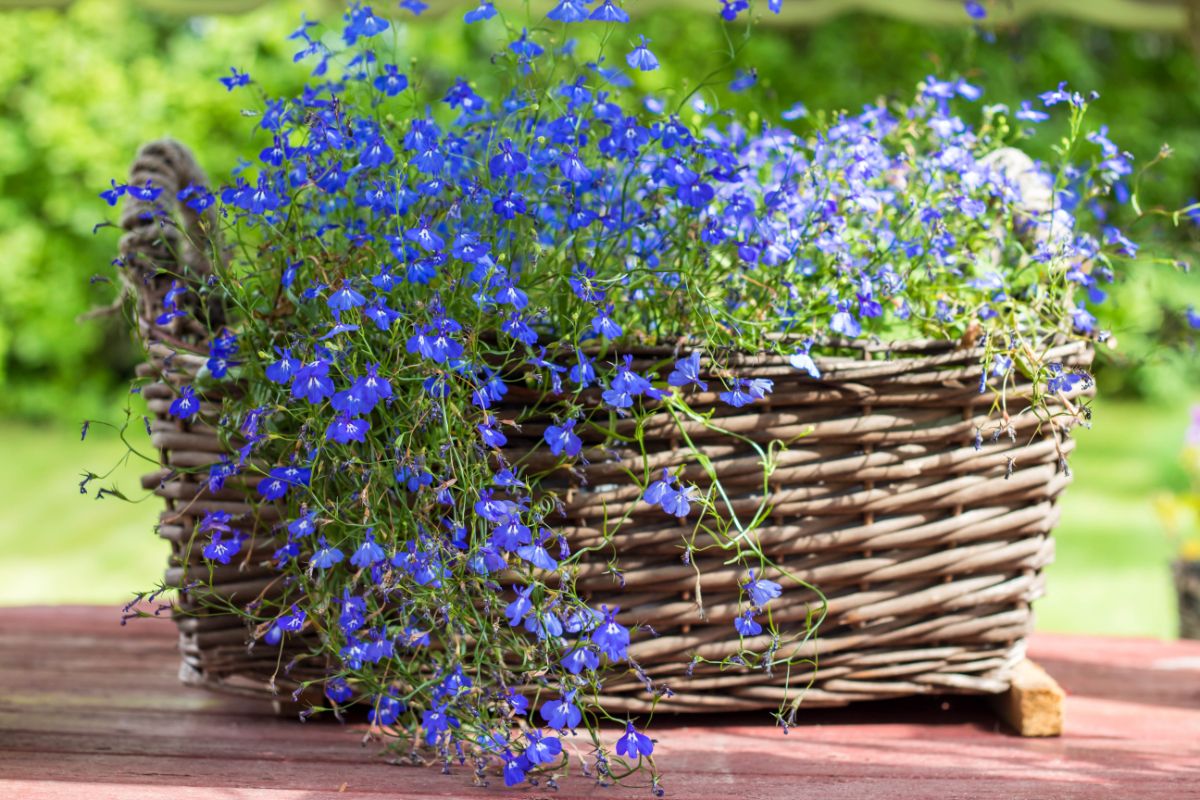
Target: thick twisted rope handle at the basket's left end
(167,242)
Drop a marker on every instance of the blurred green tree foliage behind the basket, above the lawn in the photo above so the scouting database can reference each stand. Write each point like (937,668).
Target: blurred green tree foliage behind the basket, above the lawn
(107,76)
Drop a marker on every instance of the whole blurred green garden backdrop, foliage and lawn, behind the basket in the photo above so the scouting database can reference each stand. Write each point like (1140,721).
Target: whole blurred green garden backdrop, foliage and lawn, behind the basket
(93,80)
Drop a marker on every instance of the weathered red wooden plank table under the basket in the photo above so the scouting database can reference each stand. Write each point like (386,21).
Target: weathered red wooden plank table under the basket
(92,711)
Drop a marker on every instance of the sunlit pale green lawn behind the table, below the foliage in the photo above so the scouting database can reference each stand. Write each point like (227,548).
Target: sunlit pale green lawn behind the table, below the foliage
(1111,578)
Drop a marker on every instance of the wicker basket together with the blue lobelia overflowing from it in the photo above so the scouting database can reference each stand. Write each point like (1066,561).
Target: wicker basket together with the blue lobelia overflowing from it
(517,413)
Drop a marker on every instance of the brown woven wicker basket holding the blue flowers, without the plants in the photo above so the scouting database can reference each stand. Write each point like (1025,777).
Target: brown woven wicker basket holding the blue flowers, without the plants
(929,549)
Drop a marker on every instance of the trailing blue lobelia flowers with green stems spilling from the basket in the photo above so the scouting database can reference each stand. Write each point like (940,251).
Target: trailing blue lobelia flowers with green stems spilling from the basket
(397,269)
